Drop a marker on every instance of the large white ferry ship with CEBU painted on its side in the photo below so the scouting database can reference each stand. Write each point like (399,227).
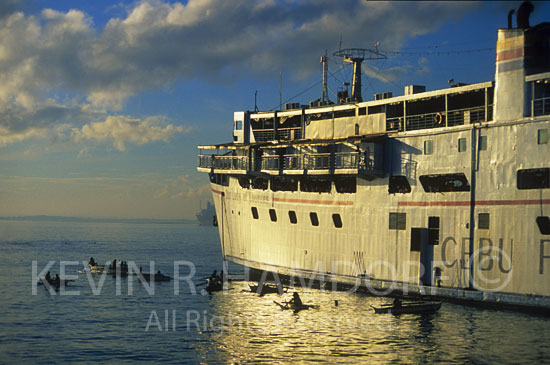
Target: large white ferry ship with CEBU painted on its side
(443,192)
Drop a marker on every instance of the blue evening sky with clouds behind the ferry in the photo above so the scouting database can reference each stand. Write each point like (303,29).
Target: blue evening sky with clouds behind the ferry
(103,103)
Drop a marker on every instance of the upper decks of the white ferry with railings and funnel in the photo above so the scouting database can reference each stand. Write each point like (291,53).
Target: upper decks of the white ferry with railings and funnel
(349,138)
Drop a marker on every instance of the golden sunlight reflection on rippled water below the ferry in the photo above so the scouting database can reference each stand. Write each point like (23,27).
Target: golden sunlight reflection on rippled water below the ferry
(257,330)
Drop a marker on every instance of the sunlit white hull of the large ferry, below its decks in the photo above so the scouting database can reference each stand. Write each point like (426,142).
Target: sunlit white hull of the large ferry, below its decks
(505,258)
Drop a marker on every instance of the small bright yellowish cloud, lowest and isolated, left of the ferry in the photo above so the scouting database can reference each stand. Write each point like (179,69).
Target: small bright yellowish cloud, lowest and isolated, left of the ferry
(120,130)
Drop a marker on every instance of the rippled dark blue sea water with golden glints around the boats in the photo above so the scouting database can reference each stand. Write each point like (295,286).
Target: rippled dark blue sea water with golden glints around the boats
(234,326)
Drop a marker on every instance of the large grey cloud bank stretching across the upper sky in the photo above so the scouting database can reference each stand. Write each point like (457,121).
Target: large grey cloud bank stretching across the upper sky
(58,68)
